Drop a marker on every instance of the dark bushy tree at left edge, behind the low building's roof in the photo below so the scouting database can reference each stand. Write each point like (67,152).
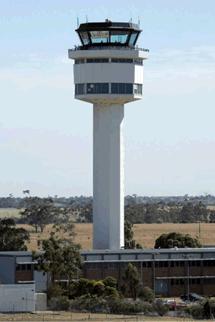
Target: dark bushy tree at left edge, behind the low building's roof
(11,237)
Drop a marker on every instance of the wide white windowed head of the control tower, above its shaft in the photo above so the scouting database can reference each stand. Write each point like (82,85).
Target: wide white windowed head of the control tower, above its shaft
(108,66)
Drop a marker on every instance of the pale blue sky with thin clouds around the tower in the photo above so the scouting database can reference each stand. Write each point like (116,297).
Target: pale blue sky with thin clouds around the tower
(46,135)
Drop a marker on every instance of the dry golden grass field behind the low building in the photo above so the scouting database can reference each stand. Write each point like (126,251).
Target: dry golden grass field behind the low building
(145,234)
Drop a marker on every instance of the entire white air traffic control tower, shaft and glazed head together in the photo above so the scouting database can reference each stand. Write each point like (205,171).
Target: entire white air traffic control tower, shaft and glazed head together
(108,72)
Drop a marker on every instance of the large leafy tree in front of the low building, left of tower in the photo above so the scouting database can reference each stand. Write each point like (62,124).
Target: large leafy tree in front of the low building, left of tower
(61,258)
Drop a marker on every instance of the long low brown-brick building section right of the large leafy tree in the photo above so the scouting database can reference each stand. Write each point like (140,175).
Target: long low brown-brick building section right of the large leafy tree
(169,272)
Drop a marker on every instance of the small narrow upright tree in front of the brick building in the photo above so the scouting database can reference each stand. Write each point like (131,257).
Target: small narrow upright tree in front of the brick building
(131,281)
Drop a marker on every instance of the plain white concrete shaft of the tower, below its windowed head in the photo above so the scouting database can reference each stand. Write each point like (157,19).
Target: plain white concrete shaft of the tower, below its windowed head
(108,177)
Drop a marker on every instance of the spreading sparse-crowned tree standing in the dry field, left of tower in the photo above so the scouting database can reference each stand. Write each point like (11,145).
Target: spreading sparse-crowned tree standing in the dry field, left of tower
(39,212)
